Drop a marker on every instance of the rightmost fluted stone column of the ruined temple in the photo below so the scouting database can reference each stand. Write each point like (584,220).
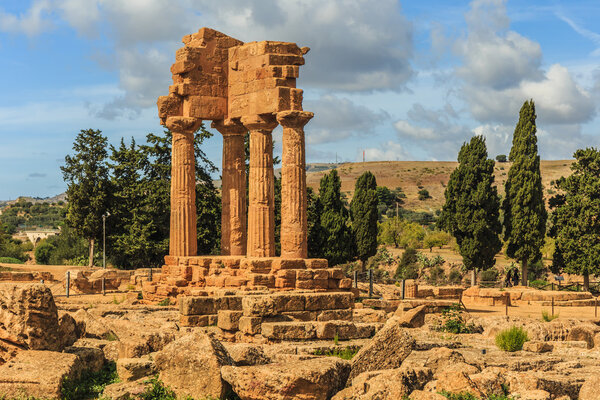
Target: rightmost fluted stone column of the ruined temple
(293,184)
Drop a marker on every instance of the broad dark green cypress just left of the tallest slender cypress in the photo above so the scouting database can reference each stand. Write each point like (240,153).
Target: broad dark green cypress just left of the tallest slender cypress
(471,212)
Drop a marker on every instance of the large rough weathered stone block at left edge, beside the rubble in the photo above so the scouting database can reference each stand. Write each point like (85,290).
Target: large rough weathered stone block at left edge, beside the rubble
(29,317)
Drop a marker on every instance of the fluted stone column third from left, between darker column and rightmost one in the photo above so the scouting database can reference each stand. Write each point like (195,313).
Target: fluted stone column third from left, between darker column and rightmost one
(261,209)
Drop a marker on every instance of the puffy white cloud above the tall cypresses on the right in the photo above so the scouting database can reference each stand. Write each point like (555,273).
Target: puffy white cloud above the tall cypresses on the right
(501,69)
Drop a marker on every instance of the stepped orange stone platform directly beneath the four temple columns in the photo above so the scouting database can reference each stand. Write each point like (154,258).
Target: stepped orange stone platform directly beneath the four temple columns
(185,275)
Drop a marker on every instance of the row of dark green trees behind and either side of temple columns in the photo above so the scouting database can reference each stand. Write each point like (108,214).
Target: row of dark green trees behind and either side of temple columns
(127,188)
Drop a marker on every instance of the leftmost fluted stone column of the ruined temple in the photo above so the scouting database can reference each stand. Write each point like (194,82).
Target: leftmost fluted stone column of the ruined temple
(183,233)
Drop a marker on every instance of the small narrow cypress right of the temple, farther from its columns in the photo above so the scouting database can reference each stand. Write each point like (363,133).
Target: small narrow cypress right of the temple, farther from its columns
(363,210)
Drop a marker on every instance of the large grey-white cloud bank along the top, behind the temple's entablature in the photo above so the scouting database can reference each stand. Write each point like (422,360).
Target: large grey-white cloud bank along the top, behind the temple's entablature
(355,47)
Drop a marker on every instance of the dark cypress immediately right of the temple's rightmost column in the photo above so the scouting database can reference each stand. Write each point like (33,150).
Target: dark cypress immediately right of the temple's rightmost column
(337,235)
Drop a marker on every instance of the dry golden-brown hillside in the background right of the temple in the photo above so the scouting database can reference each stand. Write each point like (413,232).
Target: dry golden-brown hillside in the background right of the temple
(411,176)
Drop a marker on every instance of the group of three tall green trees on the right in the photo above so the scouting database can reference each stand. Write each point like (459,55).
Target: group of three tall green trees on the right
(481,223)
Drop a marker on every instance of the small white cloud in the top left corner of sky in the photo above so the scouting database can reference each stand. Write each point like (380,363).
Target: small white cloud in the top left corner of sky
(32,23)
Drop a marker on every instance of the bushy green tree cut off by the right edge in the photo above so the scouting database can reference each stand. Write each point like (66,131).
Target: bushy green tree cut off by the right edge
(575,218)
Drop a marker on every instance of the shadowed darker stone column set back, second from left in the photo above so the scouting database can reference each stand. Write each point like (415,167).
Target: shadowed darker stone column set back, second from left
(233,189)
